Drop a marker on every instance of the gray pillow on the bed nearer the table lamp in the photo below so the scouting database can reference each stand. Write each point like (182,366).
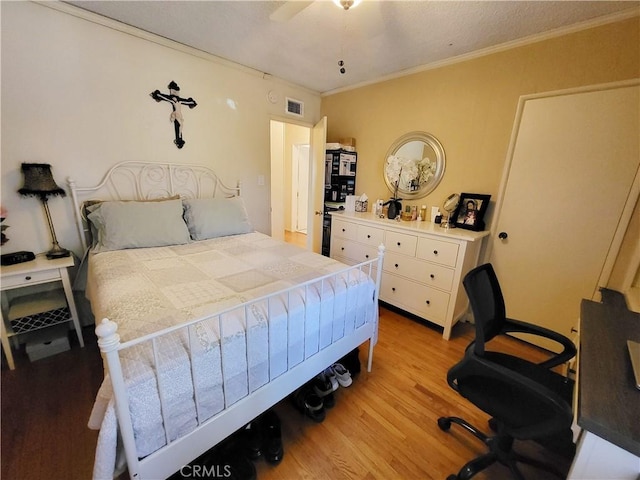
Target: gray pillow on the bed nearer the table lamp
(122,225)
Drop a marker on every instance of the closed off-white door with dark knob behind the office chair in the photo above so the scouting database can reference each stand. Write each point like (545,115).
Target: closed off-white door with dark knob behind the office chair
(574,158)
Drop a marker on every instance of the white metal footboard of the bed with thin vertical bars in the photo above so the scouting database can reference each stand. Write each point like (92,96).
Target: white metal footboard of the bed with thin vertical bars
(284,340)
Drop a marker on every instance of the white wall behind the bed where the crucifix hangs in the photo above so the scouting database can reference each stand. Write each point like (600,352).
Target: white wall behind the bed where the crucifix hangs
(75,94)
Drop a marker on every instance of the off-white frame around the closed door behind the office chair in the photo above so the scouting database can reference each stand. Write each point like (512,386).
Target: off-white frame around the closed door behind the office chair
(630,203)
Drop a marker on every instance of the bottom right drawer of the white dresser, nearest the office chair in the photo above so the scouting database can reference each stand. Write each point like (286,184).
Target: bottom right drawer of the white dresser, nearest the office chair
(421,300)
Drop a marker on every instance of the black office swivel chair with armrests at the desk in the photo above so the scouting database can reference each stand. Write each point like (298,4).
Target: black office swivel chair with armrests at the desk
(527,401)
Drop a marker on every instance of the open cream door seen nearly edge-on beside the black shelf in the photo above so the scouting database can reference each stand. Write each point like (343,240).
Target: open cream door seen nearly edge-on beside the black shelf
(316,185)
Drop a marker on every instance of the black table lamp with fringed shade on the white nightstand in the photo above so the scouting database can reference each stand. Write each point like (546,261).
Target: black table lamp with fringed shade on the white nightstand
(39,182)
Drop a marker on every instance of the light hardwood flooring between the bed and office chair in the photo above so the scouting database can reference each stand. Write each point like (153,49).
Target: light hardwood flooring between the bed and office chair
(385,425)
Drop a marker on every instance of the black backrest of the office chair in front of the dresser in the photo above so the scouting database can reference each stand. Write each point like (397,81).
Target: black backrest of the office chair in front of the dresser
(487,304)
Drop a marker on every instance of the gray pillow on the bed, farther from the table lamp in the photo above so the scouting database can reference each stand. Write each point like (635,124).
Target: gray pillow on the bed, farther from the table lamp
(216,217)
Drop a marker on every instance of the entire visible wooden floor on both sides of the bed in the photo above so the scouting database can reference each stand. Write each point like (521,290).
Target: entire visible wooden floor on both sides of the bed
(382,427)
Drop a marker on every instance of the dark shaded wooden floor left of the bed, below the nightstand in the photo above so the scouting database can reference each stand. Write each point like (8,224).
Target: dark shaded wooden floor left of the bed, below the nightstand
(45,408)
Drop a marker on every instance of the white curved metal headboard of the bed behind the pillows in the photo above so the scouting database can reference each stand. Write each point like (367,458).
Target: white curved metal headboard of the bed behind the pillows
(147,181)
